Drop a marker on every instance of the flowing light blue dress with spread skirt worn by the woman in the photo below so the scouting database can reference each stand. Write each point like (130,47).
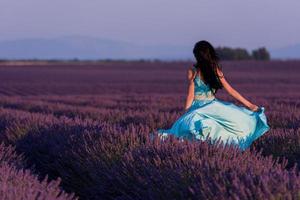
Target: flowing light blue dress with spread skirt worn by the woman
(209,116)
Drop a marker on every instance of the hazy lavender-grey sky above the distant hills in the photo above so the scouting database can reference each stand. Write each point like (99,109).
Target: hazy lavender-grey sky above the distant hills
(245,23)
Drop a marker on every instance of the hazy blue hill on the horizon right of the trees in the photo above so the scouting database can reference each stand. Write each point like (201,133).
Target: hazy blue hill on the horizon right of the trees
(288,52)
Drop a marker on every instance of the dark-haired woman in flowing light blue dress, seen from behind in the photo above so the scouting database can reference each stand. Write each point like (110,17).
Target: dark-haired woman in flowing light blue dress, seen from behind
(208,117)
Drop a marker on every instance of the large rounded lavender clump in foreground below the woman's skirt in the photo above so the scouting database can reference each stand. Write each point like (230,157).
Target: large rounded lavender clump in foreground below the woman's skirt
(200,171)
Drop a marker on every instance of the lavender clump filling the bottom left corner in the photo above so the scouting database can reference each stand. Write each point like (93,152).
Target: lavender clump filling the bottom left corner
(17,183)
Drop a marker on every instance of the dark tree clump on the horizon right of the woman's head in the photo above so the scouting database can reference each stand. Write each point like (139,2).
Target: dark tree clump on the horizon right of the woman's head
(228,53)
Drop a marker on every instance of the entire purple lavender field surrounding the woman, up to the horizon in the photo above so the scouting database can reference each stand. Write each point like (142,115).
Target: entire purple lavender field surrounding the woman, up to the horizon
(81,131)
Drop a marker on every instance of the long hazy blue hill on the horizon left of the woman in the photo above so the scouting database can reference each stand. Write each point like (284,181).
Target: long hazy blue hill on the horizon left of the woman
(82,47)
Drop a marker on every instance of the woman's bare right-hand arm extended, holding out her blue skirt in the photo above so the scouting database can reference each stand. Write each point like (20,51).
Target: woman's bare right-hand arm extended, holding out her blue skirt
(235,93)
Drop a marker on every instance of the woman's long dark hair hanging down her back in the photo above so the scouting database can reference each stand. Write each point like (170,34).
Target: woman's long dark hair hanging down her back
(208,62)
